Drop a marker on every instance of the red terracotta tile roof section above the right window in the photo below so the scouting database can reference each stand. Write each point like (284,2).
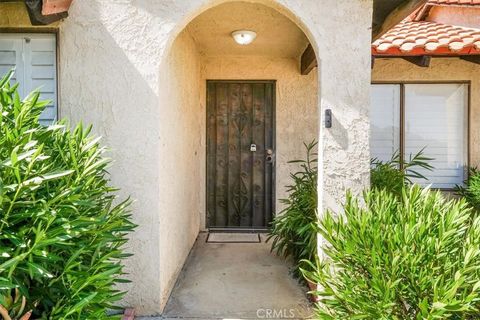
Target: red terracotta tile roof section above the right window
(422,37)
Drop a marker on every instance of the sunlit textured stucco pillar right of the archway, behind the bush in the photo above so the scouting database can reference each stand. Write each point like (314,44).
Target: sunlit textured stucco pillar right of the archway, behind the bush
(345,89)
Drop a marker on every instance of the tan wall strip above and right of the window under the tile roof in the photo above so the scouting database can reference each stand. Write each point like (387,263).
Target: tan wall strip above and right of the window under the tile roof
(441,69)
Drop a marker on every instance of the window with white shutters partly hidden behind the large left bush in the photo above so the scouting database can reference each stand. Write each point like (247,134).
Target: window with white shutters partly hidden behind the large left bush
(34,58)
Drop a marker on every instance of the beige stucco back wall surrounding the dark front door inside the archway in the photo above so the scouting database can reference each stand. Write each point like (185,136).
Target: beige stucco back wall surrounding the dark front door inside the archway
(297,118)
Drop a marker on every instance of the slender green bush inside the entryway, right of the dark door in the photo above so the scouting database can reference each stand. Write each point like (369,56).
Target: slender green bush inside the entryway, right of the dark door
(294,230)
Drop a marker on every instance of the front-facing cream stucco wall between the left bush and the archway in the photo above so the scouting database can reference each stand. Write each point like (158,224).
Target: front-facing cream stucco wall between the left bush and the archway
(109,78)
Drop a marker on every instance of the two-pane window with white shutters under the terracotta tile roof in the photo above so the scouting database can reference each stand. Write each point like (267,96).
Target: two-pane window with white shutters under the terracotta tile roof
(409,117)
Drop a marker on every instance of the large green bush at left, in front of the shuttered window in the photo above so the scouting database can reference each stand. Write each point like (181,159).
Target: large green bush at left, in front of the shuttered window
(60,232)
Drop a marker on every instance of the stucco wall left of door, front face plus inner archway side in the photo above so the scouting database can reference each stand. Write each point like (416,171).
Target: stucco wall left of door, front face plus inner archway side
(110,77)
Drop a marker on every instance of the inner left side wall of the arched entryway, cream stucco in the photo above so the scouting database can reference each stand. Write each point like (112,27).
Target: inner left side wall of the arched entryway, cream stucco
(182,162)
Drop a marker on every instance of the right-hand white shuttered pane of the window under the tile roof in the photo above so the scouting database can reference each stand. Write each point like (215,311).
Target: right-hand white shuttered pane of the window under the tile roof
(436,118)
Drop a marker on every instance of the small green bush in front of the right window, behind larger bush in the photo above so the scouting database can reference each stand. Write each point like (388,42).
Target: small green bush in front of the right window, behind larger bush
(395,174)
